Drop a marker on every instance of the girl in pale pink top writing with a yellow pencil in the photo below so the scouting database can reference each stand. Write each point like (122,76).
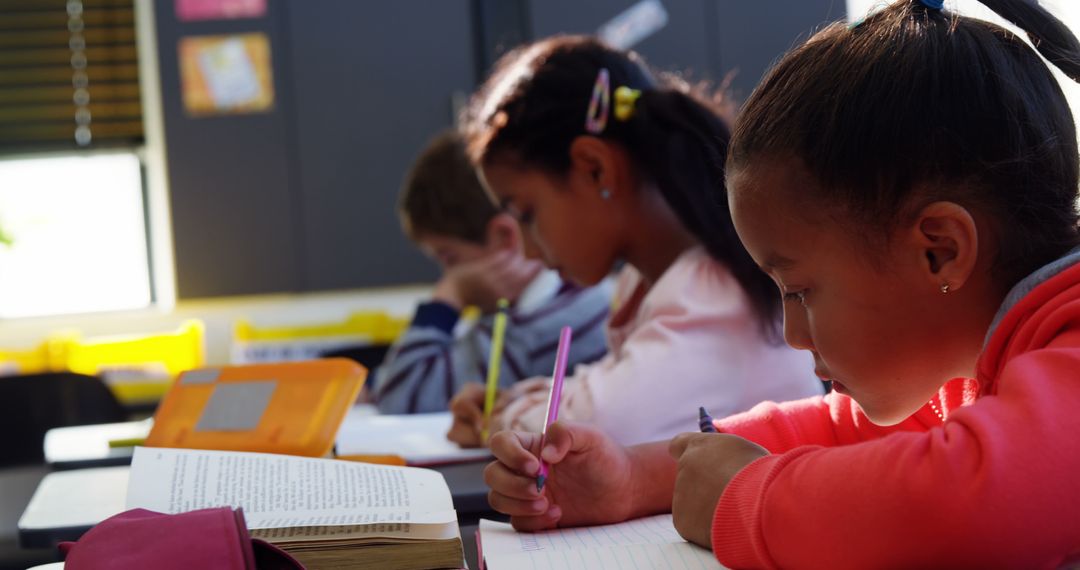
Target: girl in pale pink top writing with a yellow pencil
(601,162)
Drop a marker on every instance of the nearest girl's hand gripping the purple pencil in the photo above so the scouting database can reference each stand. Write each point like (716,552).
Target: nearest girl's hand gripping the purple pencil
(589,479)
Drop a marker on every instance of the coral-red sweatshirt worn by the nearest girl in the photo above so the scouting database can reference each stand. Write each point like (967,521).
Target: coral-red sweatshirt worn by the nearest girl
(962,484)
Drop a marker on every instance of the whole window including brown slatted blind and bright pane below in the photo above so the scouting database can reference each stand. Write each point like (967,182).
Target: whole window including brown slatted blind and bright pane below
(73,220)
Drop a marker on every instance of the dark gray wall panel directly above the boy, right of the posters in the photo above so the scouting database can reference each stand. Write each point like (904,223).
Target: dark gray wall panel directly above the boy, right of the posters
(370,92)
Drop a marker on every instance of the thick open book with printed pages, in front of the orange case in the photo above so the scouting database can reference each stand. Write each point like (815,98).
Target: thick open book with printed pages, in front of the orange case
(326,513)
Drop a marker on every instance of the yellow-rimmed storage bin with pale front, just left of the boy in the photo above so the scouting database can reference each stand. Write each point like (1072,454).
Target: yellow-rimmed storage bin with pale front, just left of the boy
(289,344)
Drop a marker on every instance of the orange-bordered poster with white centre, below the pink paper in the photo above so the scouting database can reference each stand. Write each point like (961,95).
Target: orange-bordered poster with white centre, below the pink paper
(226,75)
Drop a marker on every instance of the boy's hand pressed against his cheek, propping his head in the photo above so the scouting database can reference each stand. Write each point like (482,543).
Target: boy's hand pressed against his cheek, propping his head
(483,282)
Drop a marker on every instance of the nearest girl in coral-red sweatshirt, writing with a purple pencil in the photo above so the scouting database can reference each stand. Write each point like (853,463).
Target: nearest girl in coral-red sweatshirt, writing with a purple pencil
(910,183)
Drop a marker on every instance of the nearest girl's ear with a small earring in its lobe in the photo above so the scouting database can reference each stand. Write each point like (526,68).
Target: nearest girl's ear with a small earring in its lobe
(948,238)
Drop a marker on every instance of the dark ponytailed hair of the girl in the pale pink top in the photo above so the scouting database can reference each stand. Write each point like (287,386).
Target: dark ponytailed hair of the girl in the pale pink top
(534,106)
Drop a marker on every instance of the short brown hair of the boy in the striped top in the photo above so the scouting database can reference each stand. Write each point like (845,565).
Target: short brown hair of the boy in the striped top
(443,196)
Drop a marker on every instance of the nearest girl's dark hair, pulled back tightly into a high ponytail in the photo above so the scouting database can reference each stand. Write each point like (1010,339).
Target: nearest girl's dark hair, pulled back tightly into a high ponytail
(915,105)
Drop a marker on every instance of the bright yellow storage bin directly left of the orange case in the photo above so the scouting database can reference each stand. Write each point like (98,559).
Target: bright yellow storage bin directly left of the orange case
(139,369)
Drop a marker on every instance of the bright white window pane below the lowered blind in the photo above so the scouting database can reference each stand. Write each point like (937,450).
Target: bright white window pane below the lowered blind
(76,234)
